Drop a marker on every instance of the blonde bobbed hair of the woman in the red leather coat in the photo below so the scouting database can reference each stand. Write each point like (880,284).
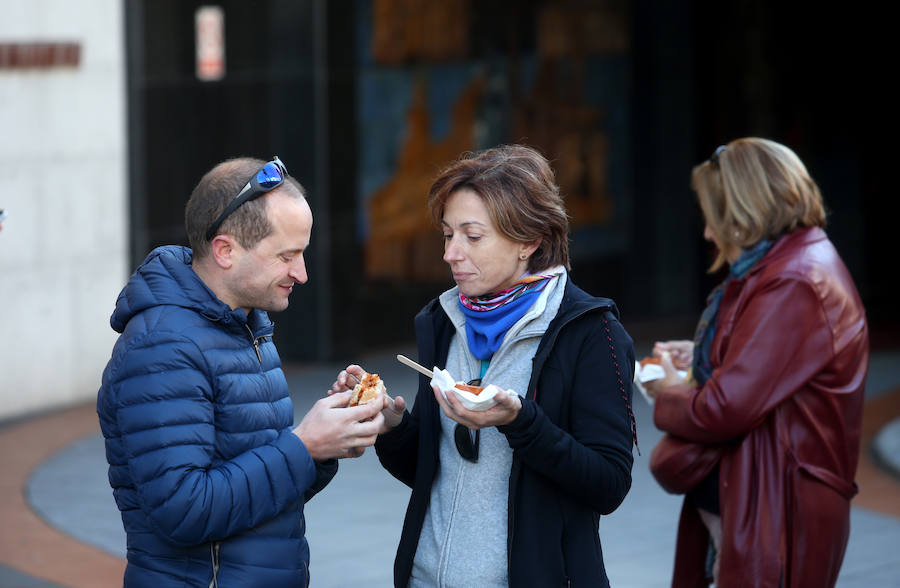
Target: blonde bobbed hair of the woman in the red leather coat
(753,189)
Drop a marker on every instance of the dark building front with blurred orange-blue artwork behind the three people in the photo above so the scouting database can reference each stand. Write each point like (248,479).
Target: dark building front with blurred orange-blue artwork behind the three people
(339,89)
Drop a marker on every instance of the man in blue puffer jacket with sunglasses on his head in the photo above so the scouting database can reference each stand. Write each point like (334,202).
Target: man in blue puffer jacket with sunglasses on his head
(206,469)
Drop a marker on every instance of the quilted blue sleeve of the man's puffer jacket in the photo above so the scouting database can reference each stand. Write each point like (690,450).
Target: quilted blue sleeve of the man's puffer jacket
(165,418)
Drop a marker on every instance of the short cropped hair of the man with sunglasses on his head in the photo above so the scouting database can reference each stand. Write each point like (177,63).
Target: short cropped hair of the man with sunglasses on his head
(249,224)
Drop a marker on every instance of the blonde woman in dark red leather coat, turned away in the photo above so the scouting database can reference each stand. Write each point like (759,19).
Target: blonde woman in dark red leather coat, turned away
(763,435)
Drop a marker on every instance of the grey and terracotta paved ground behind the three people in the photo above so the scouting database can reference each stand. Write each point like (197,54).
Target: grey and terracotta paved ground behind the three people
(73,529)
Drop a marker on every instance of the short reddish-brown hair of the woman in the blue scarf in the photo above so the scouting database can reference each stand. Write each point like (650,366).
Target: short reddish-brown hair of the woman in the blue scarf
(519,189)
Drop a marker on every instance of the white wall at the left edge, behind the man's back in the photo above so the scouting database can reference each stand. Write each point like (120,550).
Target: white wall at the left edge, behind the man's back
(63,247)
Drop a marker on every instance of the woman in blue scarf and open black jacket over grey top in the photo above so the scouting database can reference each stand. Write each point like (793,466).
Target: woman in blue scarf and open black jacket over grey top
(512,495)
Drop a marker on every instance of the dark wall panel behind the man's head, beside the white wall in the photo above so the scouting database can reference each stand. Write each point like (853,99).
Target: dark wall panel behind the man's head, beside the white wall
(270,101)
